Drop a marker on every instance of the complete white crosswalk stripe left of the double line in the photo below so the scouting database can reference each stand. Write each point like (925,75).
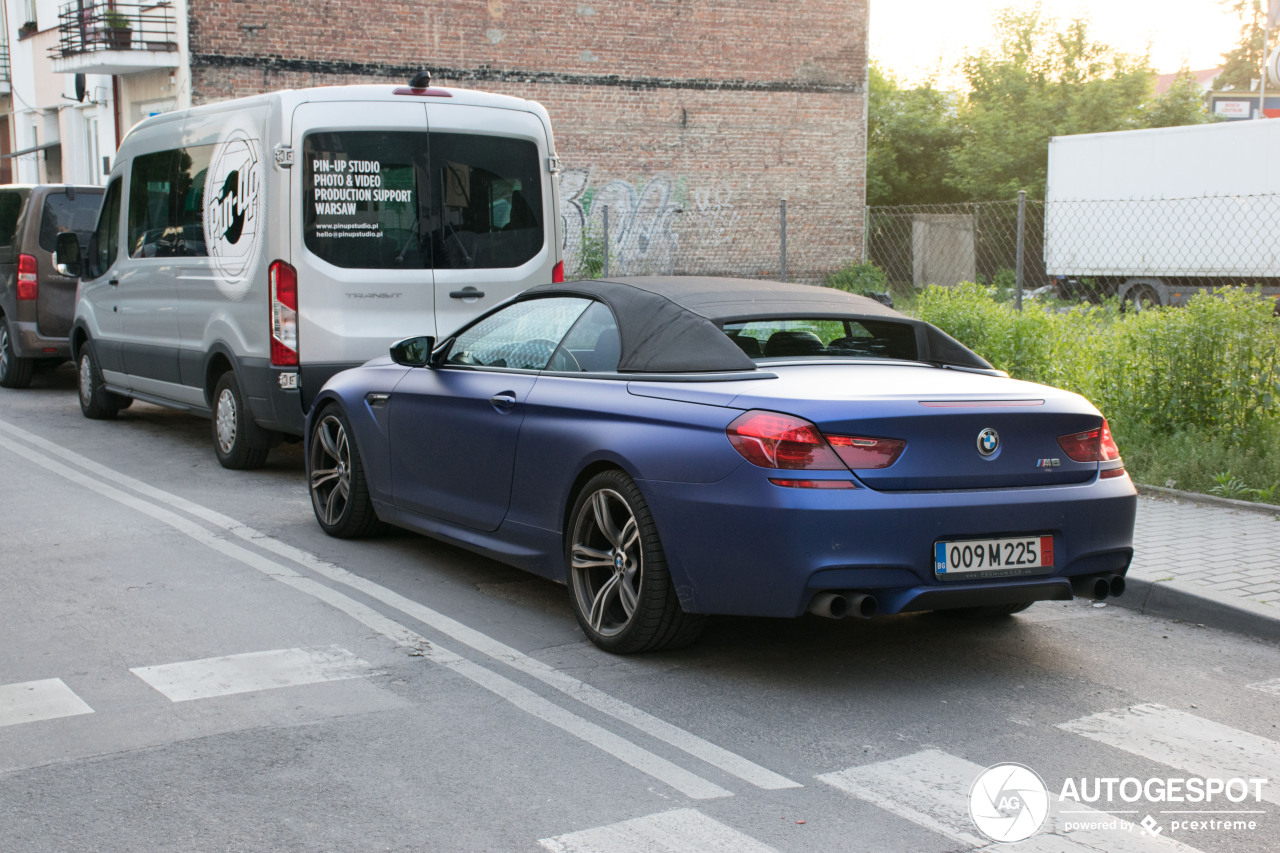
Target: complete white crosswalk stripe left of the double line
(253,672)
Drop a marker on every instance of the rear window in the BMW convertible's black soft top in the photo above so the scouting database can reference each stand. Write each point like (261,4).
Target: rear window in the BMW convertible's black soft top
(792,339)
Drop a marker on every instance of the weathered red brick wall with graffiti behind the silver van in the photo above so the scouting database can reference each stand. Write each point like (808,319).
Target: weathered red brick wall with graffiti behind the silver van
(689,118)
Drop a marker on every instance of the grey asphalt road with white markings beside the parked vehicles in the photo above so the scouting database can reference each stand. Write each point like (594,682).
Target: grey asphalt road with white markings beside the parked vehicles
(189,664)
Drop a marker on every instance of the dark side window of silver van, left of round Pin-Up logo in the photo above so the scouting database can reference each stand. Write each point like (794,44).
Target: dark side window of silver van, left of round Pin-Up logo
(167,194)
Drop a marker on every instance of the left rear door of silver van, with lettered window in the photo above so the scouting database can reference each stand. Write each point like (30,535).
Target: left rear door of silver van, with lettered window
(364,272)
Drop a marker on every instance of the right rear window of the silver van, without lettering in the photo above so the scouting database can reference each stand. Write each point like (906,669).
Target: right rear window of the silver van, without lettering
(487,202)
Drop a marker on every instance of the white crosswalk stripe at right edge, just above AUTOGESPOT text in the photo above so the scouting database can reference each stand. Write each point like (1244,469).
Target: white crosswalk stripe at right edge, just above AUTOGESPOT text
(1187,742)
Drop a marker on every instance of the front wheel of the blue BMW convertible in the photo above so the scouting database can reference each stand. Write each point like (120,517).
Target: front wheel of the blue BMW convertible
(336,477)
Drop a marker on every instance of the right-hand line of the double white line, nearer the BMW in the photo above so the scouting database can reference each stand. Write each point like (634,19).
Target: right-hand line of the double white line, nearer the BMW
(593,697)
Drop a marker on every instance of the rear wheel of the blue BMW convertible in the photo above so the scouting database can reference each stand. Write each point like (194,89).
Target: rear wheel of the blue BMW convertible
(619,583)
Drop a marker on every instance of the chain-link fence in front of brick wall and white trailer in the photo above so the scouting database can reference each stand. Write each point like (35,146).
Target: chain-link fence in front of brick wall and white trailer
(1155,252)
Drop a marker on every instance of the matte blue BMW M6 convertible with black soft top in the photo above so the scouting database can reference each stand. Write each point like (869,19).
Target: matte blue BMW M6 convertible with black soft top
(674,448)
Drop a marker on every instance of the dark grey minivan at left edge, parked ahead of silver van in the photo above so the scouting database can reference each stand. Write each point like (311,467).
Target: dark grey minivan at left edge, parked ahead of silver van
(38,304)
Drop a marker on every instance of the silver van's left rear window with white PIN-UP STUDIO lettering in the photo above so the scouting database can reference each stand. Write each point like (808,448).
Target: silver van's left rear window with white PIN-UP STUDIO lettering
(360,199)
